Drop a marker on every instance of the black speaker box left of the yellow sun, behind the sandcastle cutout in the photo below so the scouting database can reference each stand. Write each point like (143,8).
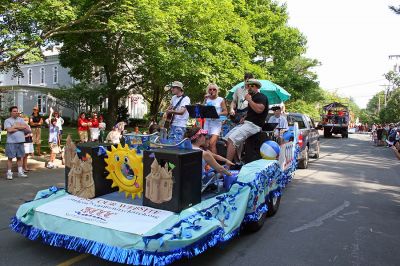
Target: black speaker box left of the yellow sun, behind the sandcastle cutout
(102,185)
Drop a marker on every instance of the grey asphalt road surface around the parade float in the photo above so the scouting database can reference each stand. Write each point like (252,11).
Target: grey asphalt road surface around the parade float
(343,210)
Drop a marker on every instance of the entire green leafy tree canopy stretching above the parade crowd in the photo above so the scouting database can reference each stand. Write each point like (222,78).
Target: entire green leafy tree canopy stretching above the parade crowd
(142,45)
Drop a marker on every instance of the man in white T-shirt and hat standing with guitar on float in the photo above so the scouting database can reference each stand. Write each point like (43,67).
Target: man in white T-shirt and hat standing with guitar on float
(178,110)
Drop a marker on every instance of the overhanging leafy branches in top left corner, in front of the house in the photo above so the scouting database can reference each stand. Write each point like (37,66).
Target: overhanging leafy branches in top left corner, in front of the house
(29,26)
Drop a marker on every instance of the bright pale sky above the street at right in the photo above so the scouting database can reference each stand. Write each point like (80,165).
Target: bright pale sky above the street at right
(352,39)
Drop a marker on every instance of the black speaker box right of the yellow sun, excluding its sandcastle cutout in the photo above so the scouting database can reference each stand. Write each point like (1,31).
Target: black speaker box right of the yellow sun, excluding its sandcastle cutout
(186,176)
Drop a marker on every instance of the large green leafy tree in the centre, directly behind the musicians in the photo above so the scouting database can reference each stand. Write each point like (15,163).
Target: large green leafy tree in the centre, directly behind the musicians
(151,44)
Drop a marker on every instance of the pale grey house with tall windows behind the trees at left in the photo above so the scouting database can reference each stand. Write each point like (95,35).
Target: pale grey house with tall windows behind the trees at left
(35,86)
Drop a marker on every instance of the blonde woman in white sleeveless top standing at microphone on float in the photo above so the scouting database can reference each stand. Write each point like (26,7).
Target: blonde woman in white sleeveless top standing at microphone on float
(213,126)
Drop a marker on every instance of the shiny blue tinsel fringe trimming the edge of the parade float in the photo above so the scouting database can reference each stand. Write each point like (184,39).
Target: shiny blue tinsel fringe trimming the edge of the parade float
(223,211)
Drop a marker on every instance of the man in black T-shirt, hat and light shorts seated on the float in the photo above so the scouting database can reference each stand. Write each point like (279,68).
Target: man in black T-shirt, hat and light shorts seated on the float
(254,120)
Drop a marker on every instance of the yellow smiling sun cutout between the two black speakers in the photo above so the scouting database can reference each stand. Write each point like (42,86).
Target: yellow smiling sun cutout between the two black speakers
(125,169)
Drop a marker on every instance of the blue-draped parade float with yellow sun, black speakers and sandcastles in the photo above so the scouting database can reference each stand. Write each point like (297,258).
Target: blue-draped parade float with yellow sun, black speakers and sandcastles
(137,205)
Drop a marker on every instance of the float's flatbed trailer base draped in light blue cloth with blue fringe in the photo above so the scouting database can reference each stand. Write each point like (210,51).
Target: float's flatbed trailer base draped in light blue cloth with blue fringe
(120,229)
